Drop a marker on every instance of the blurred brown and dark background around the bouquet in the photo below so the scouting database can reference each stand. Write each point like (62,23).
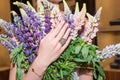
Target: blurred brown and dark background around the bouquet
(108,33)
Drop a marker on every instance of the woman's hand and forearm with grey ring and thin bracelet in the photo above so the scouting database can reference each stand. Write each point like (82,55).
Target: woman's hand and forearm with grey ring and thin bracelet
(51,47)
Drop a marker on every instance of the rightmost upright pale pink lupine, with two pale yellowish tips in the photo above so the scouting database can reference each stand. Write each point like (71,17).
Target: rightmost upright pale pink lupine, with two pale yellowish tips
(90,27)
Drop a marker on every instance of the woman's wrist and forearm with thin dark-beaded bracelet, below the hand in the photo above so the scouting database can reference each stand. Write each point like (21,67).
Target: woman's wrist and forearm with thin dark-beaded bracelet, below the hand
(36,70)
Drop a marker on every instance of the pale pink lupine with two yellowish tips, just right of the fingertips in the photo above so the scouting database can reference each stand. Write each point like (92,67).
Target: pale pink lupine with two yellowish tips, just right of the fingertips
(79,18)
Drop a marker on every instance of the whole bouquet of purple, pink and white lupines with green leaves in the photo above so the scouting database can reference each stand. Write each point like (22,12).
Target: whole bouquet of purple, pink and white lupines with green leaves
(27,30)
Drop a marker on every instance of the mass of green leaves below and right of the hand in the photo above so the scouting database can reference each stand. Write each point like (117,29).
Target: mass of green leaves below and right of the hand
(79,54)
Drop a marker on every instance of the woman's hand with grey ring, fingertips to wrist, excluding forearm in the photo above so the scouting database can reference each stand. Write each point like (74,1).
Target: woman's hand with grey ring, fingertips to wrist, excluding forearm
(50,47)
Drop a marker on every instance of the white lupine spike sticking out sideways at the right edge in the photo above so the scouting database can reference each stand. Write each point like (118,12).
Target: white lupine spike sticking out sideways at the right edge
(109,51)
